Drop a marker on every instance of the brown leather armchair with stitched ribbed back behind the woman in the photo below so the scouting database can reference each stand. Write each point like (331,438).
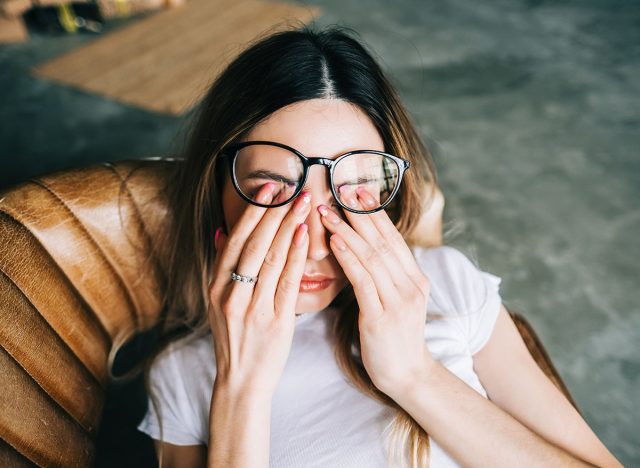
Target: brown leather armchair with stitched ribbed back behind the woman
(79,276)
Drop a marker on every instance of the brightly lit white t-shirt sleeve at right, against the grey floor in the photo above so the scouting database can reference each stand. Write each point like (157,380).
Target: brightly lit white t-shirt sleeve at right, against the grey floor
(462,291)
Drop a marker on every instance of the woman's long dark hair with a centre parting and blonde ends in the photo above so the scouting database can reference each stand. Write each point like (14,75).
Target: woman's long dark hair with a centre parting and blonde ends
(283,68)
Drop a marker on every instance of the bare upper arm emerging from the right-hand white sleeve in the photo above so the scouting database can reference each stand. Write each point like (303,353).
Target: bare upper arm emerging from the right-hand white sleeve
(515,382)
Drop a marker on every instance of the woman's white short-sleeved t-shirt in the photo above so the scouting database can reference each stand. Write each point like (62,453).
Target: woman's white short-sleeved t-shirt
(318,419)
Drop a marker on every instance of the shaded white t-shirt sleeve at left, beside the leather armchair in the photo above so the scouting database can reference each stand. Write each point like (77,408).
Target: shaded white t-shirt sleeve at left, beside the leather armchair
(168,389)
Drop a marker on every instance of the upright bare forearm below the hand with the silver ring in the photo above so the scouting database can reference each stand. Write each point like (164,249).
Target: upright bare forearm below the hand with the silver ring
(239,429)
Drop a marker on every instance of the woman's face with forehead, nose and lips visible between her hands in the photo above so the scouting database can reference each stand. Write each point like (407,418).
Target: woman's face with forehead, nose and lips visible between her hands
(317,128)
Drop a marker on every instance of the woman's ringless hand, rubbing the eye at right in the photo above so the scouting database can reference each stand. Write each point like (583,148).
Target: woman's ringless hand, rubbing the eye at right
(390,288)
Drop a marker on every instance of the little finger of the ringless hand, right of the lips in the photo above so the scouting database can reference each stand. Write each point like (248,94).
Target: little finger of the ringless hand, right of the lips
(364,286)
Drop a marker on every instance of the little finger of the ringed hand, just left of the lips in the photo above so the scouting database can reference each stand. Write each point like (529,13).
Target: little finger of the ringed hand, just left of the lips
(288,288)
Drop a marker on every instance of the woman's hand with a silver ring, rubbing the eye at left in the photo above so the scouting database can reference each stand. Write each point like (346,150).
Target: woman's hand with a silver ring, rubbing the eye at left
(253,324)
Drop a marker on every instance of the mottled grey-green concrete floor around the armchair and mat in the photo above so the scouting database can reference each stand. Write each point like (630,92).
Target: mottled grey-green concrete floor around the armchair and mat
(532,111)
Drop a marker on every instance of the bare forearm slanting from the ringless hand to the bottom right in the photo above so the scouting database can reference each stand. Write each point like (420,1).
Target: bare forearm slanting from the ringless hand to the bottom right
(472,429)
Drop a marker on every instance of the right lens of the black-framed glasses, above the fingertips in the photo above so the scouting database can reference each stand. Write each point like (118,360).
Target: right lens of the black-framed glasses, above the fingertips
(377,173)
